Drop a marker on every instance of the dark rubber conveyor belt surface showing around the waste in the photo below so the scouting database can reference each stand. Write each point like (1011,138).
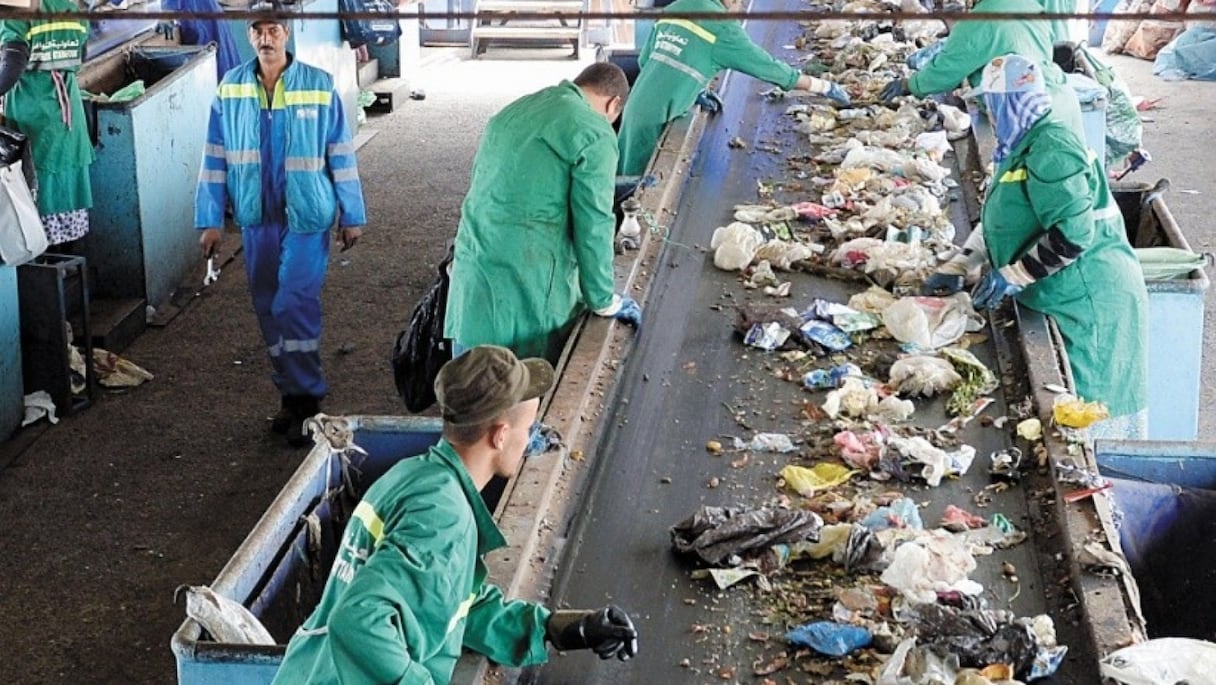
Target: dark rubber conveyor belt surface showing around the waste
(686,368)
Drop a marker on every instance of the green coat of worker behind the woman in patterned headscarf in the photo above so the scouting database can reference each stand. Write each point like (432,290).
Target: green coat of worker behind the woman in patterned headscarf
(973,44)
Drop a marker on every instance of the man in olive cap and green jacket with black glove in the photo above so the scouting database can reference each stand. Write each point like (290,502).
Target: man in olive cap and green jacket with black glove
(408,588)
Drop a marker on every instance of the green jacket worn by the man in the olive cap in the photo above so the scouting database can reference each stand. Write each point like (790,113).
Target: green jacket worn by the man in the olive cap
(408,588)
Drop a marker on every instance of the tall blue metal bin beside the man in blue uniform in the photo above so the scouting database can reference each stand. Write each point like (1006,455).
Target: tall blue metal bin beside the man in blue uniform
(143,242)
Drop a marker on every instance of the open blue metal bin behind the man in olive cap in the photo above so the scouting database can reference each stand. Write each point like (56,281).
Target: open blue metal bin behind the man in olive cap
(280,570)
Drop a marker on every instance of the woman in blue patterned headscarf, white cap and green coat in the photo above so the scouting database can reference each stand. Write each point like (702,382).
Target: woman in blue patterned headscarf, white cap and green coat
(1055,240)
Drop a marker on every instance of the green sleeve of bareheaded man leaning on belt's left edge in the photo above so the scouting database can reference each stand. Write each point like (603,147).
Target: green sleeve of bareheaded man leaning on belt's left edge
(592,194)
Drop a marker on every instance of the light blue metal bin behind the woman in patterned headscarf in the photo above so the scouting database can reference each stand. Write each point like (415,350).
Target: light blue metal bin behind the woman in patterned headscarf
(1175,321)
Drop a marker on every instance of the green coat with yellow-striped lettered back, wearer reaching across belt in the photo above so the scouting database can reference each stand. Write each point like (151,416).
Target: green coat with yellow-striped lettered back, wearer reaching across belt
(678,63)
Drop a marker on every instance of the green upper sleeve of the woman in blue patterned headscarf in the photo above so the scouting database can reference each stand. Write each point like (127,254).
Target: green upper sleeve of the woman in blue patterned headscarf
(1059,187)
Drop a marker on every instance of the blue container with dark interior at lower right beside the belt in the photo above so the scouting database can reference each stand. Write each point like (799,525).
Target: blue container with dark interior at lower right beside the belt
(1166,493)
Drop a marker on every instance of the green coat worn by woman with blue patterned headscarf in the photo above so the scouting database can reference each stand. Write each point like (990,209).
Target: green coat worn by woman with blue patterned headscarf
(1100,302)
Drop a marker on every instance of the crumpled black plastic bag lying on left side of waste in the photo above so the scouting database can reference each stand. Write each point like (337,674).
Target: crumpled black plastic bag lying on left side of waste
(719,534)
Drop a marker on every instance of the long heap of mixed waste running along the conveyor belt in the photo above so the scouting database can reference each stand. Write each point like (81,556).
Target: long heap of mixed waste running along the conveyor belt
(840,557)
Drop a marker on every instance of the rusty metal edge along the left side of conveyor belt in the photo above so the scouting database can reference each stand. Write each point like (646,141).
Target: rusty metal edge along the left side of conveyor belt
(543,499)
